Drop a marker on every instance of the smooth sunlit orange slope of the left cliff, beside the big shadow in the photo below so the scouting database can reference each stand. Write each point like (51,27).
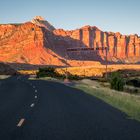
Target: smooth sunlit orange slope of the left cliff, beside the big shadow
(25,44)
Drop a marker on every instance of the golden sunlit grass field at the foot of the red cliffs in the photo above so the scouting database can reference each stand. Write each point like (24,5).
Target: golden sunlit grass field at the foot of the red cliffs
(88,71)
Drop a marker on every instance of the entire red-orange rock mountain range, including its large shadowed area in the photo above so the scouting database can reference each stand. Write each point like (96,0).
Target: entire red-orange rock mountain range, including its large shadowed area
(38,42)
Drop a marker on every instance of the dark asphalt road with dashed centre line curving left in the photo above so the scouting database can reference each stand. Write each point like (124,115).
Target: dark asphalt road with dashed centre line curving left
(43,110)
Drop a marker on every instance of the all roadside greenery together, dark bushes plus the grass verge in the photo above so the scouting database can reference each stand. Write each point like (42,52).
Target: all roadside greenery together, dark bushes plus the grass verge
(118,90)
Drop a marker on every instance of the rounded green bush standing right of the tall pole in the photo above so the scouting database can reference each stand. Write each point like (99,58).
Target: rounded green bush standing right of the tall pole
(116,81)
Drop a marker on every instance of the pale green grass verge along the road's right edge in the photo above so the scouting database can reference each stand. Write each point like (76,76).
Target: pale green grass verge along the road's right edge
(129,104)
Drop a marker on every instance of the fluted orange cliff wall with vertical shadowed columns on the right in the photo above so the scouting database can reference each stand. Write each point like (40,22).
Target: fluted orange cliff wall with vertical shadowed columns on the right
(121,48)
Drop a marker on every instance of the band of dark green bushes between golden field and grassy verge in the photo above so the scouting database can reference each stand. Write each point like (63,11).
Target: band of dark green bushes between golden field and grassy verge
(121,80)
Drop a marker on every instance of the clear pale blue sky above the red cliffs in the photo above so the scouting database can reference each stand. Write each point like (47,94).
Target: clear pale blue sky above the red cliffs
(108,15)
